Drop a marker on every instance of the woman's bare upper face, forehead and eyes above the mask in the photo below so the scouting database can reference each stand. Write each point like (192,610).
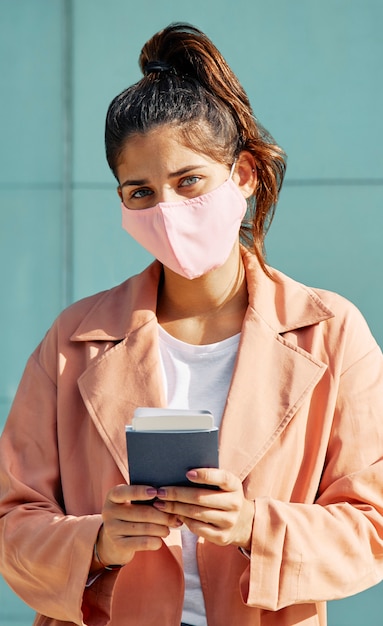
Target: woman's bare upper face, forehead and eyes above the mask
(158,167)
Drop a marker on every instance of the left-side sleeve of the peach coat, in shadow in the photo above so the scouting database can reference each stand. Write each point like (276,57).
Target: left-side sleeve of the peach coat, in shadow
(44,554)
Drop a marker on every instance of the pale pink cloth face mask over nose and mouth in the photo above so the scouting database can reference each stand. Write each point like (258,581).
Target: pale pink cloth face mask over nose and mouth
(193,236)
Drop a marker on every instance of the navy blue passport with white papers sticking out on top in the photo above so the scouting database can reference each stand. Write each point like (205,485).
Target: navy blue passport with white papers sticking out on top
(163,444)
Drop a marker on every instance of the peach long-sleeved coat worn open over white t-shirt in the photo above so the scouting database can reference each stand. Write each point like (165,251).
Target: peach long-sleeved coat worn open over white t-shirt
(302,428)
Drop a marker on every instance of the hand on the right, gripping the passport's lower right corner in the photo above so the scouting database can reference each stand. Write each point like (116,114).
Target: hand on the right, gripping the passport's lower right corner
(223,517)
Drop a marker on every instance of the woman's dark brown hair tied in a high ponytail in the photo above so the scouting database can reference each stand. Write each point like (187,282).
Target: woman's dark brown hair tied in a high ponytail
(187,83)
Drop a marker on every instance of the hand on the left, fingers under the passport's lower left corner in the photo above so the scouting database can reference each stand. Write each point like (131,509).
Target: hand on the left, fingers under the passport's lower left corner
(128,528)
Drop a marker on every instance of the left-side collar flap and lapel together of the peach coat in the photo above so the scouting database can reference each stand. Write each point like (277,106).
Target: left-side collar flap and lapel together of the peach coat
(127,375)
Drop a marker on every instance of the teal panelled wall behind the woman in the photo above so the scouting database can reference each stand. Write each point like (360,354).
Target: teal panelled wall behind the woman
(313,71)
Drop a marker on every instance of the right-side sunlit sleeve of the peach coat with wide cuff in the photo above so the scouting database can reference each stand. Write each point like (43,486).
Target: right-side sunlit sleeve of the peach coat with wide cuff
(331,548)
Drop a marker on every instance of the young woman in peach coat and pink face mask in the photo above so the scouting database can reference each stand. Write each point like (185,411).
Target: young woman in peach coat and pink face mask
(291,374)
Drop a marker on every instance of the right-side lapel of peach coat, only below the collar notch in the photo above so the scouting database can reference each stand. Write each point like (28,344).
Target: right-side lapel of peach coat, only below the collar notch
(270,382)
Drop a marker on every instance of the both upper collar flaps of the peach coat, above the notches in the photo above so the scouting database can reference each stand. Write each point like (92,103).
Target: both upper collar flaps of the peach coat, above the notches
(281,302)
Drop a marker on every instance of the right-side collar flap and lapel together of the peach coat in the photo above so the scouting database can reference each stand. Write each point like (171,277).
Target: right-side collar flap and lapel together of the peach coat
(272,376)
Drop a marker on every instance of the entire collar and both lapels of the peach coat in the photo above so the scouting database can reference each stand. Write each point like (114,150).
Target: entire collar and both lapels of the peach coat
(271,380)
